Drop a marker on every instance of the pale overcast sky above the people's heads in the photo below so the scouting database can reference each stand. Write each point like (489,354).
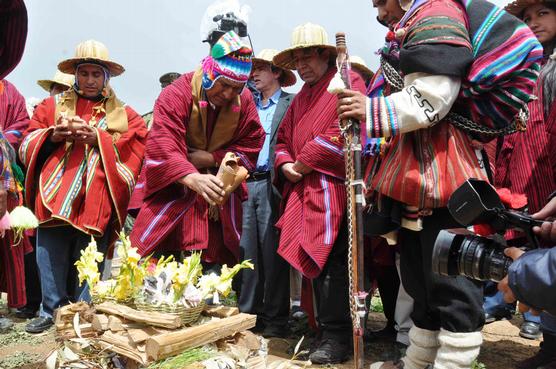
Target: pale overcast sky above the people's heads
(152,37)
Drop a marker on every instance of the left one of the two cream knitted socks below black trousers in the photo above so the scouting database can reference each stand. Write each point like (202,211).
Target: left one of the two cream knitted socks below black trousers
(421,352)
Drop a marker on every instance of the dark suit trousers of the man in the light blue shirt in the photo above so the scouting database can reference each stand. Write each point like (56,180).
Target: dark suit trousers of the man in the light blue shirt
(264,291)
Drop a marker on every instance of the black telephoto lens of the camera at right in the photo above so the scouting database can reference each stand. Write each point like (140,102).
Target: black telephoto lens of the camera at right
(460,252)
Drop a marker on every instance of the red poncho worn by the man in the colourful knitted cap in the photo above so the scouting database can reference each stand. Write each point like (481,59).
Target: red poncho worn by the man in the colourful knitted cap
(173,217)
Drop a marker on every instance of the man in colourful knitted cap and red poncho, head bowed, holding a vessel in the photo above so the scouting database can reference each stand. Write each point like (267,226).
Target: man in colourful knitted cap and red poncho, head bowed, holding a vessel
(198,119)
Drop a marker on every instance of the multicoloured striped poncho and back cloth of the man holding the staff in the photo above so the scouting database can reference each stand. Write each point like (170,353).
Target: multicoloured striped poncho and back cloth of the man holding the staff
(495,56)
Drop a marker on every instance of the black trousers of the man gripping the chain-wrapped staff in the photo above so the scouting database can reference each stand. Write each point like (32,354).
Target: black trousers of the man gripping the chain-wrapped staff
(451,303)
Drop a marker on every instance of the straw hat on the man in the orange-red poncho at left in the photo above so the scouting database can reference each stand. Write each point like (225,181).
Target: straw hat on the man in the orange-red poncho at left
(94,52)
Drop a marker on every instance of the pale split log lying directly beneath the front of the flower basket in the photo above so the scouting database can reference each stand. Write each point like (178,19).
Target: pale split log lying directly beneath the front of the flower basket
(151,318)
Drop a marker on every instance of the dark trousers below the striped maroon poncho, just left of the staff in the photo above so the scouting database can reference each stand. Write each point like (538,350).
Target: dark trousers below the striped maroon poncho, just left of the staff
(331,292)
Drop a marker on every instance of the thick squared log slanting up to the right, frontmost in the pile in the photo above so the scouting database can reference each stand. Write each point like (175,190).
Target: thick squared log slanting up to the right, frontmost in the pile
(172,343)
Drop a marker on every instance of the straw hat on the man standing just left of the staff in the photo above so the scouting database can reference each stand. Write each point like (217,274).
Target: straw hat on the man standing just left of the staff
(304,36)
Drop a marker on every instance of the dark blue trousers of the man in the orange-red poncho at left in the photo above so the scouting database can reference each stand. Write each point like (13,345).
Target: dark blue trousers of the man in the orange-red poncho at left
(58,248)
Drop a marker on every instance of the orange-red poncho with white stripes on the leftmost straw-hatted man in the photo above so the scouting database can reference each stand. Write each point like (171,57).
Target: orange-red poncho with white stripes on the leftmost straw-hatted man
(88,187)
